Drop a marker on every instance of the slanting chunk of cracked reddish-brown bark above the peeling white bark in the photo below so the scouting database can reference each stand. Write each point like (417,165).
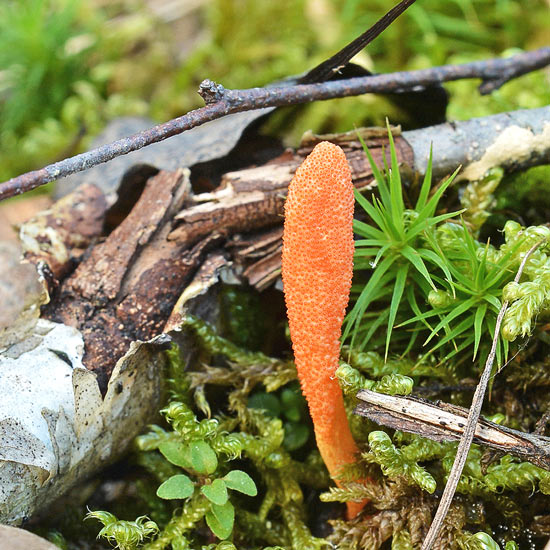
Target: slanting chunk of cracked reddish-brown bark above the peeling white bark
(125,289)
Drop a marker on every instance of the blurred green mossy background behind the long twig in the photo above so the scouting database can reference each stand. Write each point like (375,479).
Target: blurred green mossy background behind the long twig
(67,67)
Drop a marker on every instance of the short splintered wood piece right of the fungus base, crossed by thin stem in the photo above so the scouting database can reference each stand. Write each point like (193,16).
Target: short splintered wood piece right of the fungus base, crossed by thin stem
(446,422)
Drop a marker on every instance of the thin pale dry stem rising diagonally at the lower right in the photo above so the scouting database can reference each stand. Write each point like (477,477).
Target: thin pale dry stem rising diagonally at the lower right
(471,424)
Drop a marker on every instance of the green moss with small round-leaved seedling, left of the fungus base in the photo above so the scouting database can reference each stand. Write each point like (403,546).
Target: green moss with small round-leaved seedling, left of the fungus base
(191,459)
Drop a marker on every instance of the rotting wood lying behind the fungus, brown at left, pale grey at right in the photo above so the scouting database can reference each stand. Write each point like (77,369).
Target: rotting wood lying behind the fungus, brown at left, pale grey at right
(126,286)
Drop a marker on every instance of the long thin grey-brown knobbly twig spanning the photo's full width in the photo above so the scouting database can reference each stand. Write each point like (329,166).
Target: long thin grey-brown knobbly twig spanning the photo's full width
(221,102)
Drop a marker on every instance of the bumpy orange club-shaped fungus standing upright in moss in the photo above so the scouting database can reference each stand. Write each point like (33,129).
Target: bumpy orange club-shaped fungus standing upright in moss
(317,271)
